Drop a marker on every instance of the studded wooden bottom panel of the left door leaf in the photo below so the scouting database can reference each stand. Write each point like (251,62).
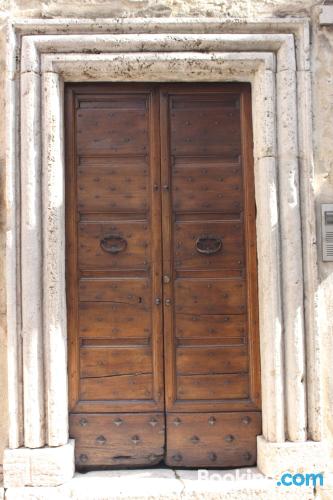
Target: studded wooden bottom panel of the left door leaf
(118,439)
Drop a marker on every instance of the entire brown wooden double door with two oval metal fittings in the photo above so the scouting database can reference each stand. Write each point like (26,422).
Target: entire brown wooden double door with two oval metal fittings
(161,275)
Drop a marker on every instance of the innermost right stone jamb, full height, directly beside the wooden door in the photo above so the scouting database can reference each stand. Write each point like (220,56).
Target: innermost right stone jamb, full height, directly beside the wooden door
(269,259)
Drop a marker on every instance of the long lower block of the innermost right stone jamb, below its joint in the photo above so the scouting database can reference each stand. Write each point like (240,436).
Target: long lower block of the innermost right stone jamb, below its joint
(270,318)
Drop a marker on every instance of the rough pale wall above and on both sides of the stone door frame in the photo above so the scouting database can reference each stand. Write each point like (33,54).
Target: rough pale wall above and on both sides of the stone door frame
(323,113)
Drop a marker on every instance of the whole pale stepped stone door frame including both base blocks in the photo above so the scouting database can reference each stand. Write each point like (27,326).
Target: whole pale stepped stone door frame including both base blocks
(272,54)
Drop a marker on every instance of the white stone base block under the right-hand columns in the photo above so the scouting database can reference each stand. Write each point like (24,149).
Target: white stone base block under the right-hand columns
(274,459)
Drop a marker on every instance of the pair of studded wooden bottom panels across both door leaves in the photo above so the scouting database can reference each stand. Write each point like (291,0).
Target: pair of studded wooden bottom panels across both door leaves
(194,439)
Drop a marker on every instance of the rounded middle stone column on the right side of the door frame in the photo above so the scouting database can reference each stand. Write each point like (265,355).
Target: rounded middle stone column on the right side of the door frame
(292,258)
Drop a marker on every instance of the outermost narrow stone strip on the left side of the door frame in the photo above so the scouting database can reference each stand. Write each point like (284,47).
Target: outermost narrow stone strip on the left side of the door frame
(12,269)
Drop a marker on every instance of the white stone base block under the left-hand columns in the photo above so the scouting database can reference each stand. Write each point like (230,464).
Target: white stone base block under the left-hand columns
(38,466)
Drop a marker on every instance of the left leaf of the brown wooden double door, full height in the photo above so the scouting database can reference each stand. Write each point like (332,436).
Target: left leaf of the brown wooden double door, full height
(114,272)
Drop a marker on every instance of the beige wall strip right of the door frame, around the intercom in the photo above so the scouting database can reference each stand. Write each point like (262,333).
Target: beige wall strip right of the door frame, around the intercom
(322,66)
